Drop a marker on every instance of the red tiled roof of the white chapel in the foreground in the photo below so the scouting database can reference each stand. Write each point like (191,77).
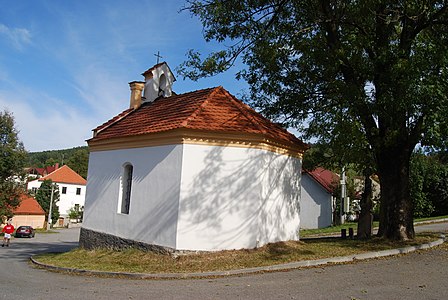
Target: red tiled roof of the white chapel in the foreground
(213,110)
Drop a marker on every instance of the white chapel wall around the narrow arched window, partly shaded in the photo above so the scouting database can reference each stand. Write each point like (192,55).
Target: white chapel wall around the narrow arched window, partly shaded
(155,194)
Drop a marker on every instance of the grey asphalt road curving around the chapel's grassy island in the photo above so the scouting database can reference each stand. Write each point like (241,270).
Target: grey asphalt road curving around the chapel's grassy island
(420,275)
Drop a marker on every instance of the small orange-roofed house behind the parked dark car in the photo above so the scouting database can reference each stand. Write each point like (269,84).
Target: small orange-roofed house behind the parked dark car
(29,212)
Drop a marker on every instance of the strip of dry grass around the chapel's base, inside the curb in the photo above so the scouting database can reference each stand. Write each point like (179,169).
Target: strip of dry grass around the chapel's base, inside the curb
(135,261)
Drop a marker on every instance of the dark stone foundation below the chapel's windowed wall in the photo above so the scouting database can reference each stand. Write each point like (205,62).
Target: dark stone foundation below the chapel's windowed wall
(90,240)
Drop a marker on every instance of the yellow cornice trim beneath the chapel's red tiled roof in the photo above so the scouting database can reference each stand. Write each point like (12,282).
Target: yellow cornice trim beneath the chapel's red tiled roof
(185,136)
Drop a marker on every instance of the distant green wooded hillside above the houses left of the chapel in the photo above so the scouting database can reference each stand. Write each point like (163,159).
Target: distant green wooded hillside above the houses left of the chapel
(76,158)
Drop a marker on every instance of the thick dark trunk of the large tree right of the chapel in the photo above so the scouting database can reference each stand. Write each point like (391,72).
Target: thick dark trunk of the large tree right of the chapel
(396,210)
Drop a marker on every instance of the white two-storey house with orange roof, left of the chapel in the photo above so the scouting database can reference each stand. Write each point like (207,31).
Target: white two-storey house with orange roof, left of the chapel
(72,190)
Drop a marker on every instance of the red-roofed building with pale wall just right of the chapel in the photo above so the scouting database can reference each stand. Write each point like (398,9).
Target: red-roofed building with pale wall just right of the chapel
(317,201)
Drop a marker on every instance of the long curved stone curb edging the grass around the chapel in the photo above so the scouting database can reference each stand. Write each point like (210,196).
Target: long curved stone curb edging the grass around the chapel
(272,268)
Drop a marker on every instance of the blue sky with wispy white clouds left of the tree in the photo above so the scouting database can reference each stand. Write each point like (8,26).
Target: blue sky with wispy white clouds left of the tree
(65,65)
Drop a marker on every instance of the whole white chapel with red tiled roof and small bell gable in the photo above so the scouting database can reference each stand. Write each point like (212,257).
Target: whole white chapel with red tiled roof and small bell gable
(194,171)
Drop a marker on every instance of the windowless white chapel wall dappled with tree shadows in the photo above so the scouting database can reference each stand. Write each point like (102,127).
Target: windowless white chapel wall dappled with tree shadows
(234,198)
